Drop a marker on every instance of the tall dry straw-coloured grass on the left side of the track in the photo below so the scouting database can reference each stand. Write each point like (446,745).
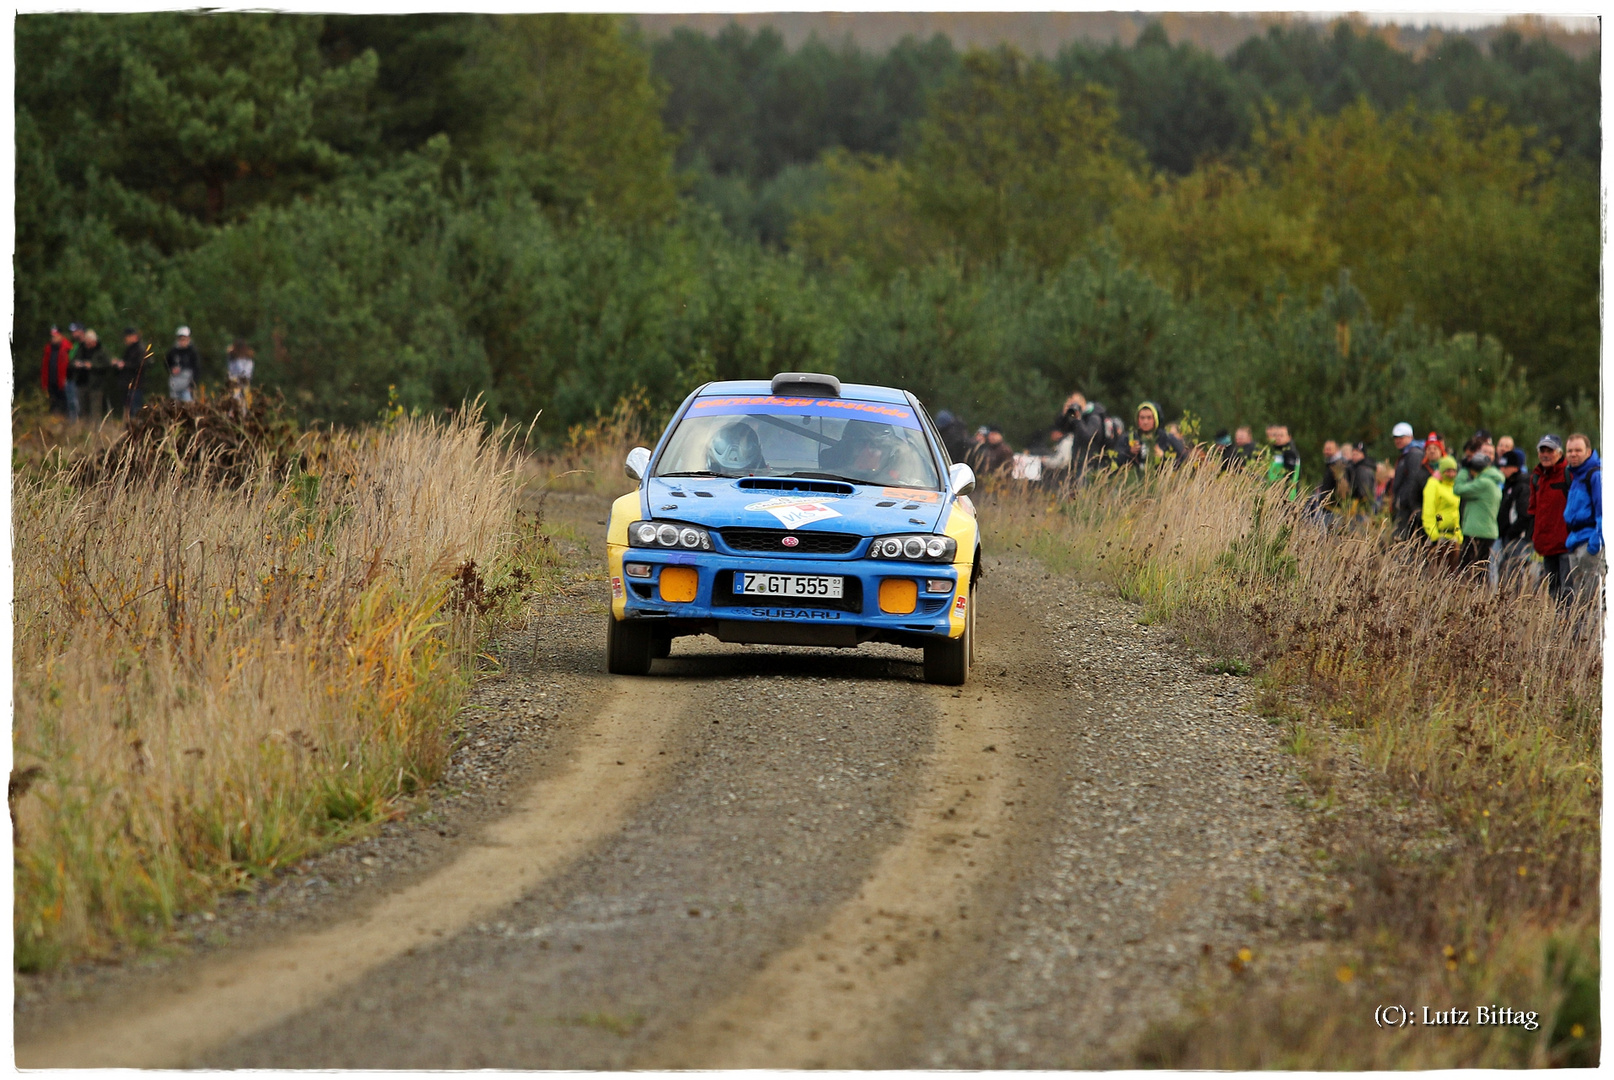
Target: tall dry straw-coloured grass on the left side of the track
(212,680)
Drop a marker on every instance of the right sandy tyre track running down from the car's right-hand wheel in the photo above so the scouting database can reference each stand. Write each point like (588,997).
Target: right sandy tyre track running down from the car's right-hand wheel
(843,997)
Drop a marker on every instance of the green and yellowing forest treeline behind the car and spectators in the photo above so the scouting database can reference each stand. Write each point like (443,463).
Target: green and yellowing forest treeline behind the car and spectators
(554,212)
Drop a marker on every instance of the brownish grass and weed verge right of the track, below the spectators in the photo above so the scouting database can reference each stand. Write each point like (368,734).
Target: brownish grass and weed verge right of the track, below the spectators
(1476,716)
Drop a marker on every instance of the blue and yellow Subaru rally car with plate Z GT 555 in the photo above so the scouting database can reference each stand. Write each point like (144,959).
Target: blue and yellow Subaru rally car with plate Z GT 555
(797,513)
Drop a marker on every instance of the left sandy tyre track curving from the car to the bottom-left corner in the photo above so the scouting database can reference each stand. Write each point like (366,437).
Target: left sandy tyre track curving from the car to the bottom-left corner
(614,764)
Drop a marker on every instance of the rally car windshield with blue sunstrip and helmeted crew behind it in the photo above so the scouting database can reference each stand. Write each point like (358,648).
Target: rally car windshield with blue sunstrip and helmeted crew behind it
(864,443)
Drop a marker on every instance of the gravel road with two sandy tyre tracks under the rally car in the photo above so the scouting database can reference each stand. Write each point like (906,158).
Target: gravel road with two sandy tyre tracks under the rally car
(763,858)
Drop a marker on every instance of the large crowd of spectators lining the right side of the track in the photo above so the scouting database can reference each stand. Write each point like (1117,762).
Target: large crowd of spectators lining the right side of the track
(1476,511)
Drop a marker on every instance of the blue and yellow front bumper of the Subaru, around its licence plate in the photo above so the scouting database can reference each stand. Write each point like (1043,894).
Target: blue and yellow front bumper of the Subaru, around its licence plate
(851,621)
